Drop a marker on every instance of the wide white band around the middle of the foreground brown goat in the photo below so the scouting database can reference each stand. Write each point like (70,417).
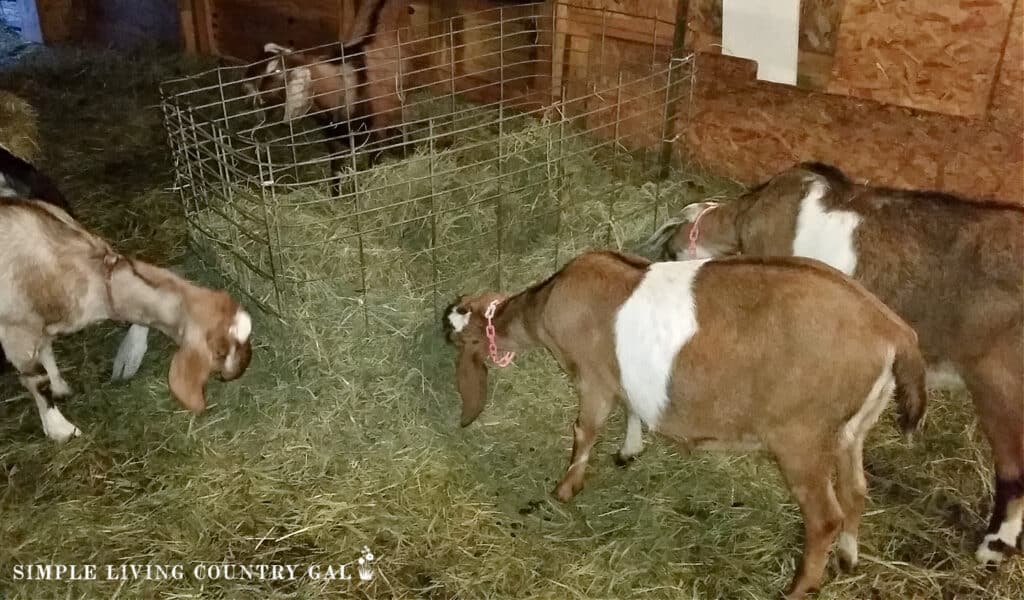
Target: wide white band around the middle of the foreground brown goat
(652,327)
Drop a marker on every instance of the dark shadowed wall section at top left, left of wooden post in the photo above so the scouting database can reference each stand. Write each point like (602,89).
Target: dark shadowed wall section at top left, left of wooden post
(120,24)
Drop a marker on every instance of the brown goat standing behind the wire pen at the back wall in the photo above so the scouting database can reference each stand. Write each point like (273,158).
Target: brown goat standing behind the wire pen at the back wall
(354,92)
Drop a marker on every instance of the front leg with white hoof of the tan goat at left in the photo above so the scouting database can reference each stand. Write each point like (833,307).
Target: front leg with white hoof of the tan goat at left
(21,350)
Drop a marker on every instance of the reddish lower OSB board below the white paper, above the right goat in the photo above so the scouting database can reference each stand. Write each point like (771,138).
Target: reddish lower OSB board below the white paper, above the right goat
(749,131)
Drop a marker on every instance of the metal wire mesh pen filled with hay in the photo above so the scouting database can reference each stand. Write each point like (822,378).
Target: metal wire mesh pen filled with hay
(515,132)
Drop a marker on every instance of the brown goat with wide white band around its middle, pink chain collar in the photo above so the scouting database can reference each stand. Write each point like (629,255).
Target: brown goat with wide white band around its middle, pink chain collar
(785,355)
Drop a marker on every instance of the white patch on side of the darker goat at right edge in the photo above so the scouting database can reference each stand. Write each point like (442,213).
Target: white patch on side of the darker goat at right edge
(826,235)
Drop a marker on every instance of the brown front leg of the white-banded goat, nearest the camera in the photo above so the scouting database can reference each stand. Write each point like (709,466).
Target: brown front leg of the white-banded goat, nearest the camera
(595,405)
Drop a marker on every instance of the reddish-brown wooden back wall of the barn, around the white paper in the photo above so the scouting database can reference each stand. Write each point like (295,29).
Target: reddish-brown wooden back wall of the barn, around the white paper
(915,94)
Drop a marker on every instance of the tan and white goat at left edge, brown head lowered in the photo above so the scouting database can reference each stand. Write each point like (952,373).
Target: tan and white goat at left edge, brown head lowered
(61,279)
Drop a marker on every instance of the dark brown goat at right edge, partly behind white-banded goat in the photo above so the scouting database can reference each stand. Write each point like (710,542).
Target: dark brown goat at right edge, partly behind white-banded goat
(951,267)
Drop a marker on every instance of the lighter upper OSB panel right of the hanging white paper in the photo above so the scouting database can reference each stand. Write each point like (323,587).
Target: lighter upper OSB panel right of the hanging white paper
(926,55)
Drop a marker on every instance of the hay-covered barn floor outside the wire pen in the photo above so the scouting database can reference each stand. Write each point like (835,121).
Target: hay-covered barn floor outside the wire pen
(330,445)
